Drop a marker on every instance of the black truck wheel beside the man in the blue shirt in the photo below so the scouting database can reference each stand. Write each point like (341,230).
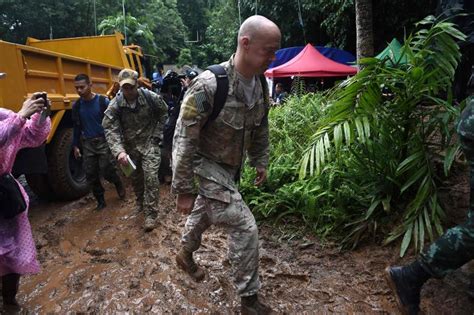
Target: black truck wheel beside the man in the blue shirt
(66,175)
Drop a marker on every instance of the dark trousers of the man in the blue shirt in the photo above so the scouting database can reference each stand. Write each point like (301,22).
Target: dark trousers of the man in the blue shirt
(98,161)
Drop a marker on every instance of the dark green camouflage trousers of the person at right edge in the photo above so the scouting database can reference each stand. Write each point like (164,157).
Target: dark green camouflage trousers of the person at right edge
(456,246)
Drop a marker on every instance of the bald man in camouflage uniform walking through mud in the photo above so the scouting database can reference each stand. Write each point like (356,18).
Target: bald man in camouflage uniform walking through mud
(210,149)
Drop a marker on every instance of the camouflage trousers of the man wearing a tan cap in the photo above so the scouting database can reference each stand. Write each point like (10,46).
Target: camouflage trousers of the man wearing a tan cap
(145,182)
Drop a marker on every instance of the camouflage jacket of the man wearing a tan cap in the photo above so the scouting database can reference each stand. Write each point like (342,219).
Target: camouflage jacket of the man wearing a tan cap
(130,128)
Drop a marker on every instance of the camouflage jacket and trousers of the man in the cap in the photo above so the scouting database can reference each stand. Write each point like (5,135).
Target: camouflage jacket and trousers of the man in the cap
(137,130)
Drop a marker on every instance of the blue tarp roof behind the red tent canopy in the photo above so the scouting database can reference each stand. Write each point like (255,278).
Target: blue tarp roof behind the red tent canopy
(285,54)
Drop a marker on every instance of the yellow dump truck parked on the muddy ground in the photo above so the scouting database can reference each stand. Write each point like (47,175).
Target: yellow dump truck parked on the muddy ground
(51,65)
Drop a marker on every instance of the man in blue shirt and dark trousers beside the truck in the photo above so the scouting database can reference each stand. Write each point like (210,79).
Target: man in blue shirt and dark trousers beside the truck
(87,115)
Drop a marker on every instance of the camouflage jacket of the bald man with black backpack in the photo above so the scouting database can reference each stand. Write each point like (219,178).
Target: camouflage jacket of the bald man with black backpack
(215,149)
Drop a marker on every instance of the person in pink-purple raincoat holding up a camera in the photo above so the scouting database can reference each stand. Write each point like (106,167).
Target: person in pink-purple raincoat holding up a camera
(17,248)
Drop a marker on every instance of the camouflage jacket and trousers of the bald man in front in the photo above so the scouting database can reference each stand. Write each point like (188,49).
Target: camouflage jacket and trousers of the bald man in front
(214,151)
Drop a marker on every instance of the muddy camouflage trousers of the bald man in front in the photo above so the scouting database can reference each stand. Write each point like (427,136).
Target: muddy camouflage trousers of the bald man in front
(240,224)
